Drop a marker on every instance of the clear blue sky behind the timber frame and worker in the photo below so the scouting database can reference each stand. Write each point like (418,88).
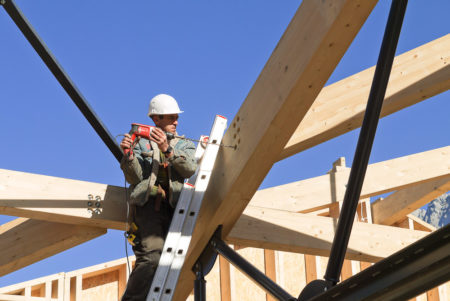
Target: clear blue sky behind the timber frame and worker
(207,54)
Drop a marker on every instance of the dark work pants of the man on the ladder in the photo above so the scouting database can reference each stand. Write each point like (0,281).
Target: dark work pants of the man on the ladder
(152,231)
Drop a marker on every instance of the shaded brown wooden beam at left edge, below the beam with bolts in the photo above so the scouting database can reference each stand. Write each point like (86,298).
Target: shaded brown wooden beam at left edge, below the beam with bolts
(24,241)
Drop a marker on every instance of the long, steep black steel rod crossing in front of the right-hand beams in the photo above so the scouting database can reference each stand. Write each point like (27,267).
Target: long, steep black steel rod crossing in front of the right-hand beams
(365,141)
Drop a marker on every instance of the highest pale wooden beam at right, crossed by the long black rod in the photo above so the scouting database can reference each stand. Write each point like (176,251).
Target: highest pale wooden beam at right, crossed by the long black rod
(416,75)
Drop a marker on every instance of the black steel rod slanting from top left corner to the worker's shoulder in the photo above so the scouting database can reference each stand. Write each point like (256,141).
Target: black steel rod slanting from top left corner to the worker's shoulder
(62,77)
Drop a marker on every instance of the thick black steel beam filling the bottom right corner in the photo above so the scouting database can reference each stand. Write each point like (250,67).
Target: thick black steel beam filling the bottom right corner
(409,272)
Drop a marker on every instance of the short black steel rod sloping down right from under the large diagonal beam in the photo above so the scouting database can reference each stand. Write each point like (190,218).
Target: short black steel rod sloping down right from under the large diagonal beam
(247,268)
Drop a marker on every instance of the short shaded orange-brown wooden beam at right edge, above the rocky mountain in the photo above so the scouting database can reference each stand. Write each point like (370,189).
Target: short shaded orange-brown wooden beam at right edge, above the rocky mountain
(396,206)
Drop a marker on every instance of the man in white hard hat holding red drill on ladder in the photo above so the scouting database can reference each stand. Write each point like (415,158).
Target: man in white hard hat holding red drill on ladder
(156,170)
